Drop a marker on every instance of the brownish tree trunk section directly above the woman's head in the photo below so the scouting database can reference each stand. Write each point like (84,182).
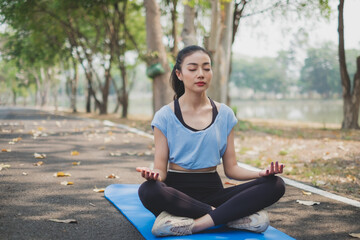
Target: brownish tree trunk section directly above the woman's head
(188,33)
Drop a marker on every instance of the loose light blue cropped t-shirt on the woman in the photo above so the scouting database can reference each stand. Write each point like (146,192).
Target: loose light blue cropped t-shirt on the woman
(195,150)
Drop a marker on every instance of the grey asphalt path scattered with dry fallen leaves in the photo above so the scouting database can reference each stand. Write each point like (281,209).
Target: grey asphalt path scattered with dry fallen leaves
(31,195)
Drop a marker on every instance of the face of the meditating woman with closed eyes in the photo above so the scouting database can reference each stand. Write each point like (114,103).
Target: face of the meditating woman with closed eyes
(196,72)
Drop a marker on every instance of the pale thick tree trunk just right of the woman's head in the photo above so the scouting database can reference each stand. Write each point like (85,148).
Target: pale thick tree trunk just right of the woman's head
(220,47)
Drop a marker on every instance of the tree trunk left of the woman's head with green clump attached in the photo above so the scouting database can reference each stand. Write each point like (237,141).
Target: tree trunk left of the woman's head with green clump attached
(161,87)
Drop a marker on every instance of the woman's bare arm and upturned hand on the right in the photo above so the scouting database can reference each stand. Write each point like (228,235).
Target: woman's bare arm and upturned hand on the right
(233,171)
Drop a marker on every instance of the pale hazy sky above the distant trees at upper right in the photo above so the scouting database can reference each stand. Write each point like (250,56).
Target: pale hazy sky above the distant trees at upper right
(267,38)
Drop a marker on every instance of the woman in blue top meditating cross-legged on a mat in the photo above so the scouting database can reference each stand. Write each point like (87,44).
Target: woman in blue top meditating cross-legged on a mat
(192,134)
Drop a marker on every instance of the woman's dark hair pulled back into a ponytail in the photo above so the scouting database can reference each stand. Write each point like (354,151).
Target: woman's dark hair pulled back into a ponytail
(176,84)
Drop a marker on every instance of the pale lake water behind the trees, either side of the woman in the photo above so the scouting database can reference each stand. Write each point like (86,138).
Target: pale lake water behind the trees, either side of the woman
(318,110)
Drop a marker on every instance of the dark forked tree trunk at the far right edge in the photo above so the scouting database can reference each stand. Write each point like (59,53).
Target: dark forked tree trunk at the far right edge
(351,99)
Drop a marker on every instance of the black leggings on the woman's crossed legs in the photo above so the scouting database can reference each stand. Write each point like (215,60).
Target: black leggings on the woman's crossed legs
(193,194)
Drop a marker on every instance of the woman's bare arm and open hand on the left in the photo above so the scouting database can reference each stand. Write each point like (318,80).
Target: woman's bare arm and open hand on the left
(160,159)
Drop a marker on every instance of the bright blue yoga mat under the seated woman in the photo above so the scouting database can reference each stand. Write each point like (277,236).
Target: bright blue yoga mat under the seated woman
(125,198)
